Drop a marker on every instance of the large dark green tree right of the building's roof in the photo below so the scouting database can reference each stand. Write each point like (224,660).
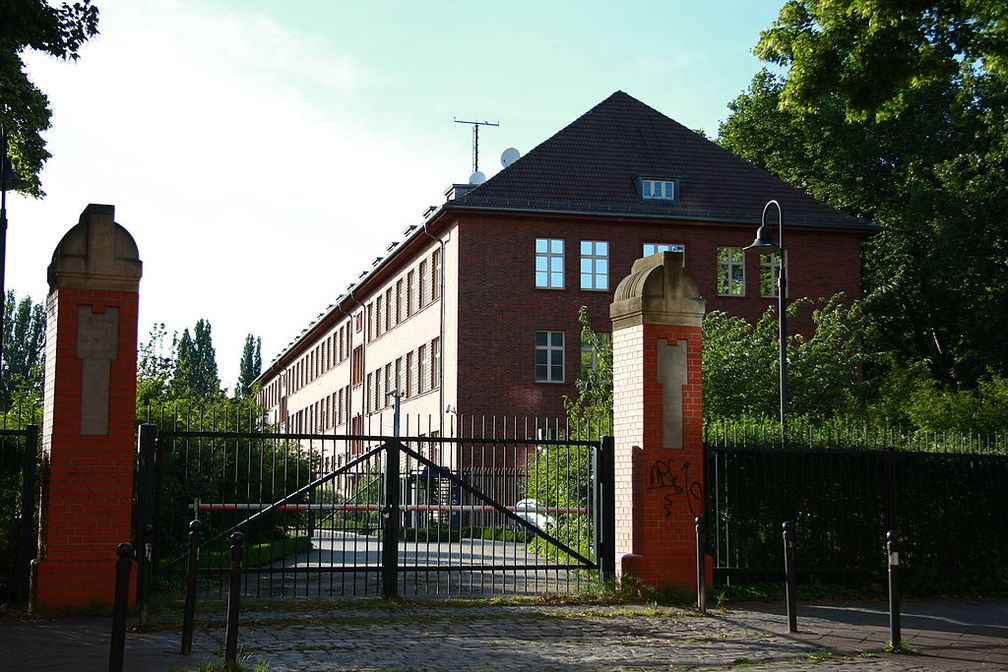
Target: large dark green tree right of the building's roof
(936,180)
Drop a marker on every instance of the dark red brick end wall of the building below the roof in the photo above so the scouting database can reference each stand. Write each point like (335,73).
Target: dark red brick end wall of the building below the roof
(500,309)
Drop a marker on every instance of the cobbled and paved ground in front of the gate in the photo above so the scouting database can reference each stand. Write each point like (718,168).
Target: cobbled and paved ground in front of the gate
(432,636)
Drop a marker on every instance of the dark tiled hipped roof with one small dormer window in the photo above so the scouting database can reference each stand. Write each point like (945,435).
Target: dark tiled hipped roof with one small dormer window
(592,167)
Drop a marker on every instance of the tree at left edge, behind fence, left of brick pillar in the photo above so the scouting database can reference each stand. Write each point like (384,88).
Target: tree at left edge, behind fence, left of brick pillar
(24,350)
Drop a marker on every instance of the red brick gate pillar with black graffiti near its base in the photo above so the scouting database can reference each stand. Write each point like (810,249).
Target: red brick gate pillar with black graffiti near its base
(658,314)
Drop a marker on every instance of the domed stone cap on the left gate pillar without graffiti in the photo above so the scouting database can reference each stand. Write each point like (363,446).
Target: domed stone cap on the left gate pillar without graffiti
(96,254)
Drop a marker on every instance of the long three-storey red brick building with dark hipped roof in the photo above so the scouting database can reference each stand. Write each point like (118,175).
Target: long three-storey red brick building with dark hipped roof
(476,311)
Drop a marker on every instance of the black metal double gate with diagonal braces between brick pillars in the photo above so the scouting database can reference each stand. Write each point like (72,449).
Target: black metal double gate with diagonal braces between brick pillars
(329,515)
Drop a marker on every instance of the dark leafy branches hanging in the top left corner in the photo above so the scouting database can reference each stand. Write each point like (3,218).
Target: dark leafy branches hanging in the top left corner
(25,110)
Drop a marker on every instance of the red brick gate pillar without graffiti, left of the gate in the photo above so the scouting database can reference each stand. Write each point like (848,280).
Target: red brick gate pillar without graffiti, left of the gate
(89,413)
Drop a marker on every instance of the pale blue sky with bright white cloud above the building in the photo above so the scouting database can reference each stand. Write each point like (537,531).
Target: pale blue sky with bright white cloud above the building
(264,153)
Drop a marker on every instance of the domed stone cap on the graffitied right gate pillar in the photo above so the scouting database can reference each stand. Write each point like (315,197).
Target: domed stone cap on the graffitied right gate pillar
(658,292)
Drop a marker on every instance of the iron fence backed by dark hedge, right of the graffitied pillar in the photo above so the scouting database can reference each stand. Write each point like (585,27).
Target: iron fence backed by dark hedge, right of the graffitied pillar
(946,494)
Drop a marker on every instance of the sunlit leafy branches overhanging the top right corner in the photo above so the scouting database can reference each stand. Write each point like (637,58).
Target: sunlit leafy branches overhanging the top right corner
(876,55)
